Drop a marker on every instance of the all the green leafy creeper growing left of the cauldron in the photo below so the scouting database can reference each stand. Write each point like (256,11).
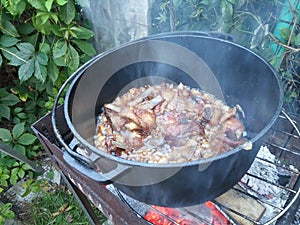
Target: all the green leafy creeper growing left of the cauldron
(41,44)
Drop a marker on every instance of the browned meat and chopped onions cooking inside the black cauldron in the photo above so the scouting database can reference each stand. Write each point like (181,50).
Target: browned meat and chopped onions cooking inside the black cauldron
(167,124)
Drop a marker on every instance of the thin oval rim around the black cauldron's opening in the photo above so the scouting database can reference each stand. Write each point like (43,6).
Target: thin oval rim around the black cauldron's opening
(85,143)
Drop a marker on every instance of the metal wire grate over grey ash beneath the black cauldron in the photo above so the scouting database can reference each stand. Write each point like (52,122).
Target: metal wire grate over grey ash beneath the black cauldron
(280,194)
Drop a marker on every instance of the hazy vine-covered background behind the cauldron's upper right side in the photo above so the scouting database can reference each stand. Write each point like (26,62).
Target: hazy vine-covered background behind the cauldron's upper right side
(250,23)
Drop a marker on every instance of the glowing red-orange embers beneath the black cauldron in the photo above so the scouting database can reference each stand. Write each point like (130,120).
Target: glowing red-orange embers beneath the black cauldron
(168,216)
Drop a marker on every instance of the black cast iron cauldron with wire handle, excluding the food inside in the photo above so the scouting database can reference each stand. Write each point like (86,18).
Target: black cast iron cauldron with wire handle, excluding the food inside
(223,68)
